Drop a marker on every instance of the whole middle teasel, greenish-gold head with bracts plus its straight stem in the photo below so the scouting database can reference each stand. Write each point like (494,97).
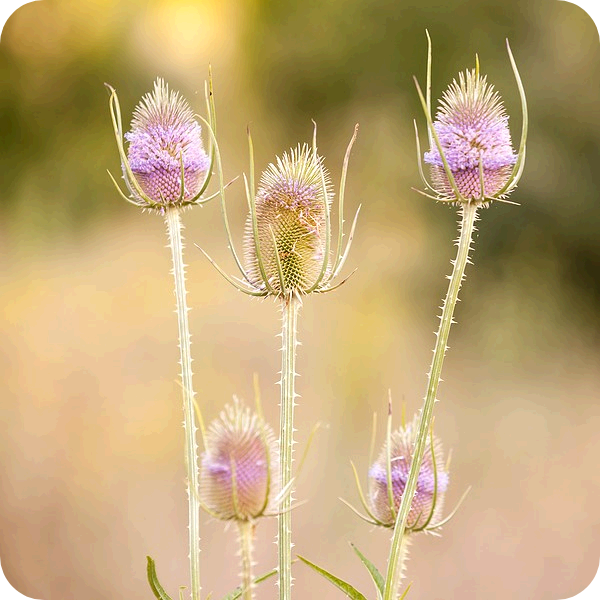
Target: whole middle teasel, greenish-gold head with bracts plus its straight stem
(288,255)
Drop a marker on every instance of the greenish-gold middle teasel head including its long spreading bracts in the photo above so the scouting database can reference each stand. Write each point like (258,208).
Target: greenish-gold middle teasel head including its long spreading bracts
(288,248)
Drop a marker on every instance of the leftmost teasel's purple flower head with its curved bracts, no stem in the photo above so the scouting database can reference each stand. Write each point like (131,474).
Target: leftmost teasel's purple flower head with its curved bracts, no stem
(165,164)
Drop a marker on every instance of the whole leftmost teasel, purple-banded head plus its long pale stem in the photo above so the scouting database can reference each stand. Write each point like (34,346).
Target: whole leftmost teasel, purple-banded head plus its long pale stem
(167,170)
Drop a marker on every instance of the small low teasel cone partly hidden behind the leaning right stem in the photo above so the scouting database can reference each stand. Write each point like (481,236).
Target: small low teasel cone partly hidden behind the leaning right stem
(432,482)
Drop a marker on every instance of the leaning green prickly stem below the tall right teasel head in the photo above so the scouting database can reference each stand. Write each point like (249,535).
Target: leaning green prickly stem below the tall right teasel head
(394,575)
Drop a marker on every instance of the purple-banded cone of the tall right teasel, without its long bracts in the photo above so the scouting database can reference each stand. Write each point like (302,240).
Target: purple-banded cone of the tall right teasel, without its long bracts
(472,128)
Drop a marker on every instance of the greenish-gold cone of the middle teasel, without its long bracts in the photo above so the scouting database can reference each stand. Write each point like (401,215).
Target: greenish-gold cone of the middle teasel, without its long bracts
(291,223)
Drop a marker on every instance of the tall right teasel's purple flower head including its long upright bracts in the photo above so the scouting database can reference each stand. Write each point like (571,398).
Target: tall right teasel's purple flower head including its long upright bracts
(471,157)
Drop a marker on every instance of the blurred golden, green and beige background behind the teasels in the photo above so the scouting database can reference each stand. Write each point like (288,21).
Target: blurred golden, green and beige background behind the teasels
(91,447)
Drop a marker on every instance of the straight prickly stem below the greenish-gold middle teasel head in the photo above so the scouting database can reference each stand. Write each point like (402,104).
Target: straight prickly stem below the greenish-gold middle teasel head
(289,309)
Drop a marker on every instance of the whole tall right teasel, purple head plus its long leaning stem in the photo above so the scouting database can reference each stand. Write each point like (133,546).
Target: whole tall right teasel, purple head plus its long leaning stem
(472,164)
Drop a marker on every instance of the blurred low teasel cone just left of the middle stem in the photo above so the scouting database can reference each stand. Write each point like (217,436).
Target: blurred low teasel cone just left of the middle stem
(238,476)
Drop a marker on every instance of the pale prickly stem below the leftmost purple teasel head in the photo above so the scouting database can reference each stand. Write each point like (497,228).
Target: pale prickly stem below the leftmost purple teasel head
(174,228)
